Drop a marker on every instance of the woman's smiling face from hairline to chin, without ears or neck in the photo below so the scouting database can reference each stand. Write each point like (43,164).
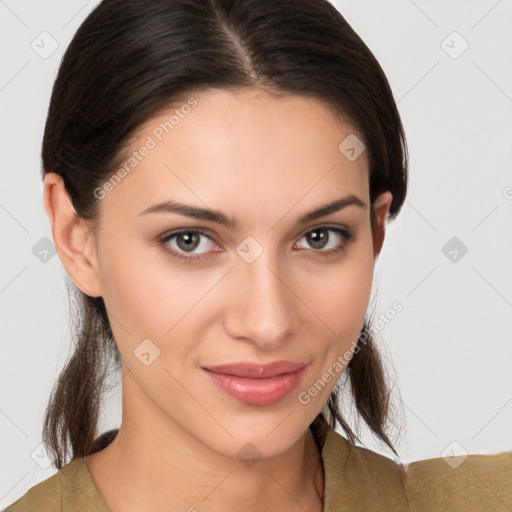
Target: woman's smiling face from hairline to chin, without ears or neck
(271,287)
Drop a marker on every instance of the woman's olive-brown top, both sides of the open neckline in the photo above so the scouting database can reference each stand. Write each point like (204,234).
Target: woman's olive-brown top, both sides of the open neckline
(356,479)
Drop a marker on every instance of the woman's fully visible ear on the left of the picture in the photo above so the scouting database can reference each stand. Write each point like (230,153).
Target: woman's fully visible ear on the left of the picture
(74,242)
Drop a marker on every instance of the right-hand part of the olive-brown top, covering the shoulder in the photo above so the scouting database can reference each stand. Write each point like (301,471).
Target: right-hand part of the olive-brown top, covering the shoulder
(360,479)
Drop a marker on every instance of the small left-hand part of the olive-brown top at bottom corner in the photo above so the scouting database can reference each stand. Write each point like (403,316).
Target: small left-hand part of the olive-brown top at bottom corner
(69,489)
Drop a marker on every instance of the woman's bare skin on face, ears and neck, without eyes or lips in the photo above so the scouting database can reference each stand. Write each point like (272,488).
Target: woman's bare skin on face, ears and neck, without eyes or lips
(265,162)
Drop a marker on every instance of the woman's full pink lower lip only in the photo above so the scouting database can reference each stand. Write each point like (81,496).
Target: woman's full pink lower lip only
(257,391)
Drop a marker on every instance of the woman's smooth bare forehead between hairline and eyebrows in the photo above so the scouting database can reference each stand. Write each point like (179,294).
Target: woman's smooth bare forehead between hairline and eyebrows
(245,150)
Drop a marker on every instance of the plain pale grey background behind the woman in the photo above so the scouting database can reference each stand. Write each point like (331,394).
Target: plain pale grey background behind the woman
(449,349)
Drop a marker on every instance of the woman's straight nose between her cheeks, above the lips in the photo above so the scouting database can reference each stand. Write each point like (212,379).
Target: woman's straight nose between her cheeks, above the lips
(263,305)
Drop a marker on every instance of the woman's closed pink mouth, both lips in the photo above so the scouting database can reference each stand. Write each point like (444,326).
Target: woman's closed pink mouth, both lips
(254,384)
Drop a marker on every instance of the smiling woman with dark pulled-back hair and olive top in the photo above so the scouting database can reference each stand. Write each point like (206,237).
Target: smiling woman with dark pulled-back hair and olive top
(218,176)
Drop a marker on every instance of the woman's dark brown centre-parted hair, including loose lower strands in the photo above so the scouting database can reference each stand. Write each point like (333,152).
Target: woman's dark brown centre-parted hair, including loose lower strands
(130,60)
